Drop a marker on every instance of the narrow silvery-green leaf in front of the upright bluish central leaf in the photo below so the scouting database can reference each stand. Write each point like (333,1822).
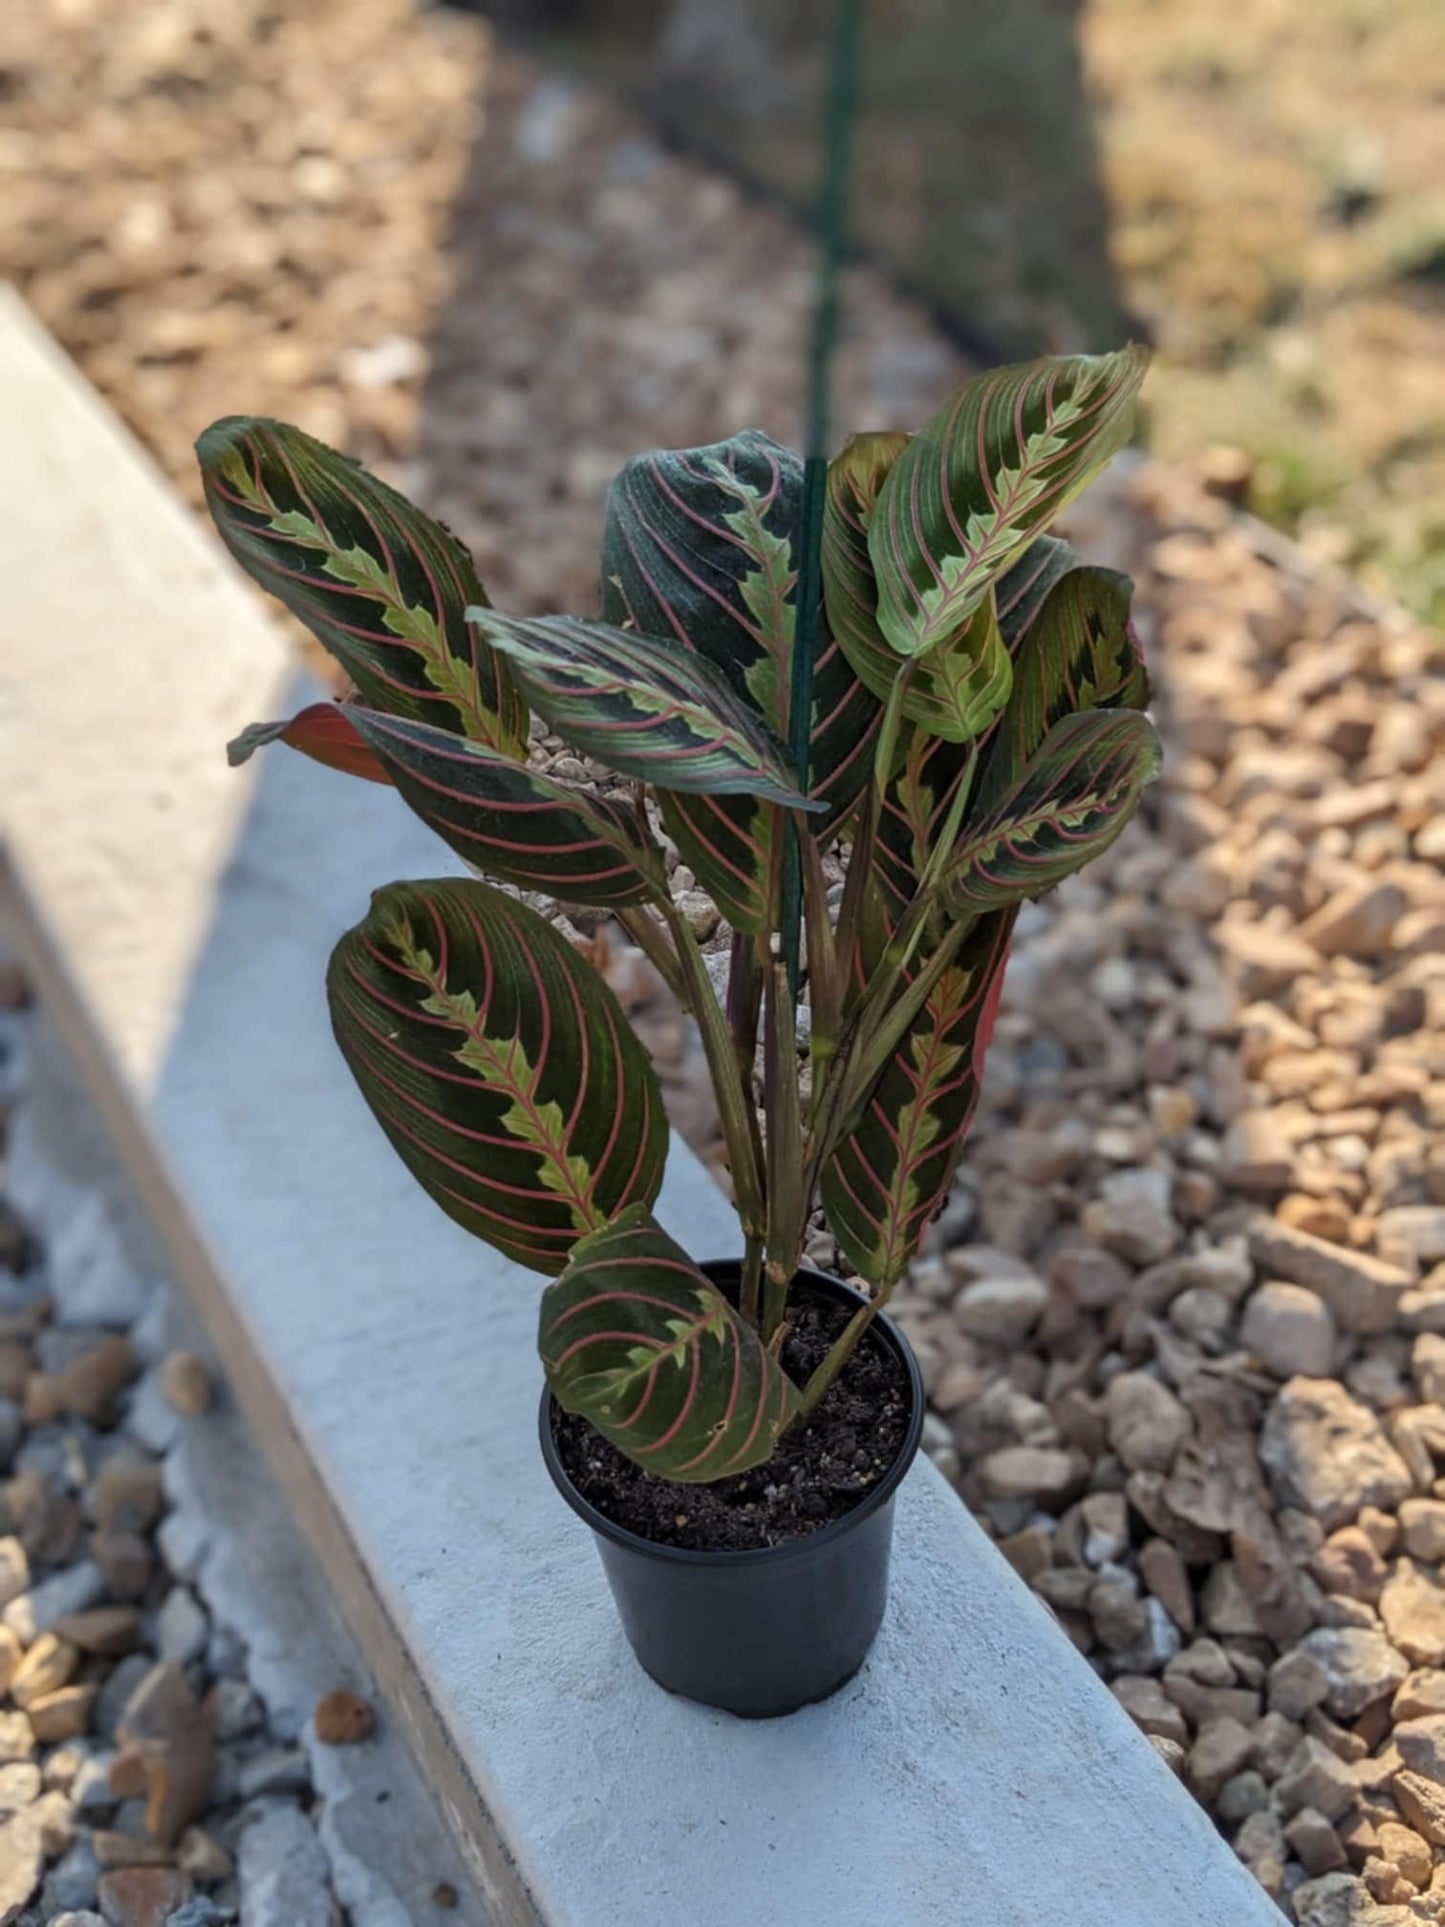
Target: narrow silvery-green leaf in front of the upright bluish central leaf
(643,708)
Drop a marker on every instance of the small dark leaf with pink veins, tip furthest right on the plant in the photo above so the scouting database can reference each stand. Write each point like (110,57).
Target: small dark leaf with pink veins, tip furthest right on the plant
(1070,805)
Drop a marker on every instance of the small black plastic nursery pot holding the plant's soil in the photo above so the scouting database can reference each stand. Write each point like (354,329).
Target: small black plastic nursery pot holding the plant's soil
(758,1633)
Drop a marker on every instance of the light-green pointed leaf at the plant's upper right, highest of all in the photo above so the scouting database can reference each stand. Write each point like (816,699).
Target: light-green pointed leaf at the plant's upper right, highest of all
(984,479)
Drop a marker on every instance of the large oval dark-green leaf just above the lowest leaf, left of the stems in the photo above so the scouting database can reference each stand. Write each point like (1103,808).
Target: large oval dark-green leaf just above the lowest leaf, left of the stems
(500,1067)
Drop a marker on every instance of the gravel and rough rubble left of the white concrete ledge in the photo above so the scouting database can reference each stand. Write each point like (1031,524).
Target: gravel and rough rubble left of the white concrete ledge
(144,1778)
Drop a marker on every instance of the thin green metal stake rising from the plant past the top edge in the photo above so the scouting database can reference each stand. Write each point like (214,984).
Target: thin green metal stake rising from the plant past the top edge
(808,620)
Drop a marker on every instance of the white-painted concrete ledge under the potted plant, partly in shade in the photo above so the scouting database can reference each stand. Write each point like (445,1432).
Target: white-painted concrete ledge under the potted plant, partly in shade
(180,920)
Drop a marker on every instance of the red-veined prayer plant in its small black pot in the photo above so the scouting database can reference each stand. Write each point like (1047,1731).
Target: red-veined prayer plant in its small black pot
(735,1429)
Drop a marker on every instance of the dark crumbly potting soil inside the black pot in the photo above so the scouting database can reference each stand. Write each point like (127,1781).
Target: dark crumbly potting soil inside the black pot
(820,1473)
